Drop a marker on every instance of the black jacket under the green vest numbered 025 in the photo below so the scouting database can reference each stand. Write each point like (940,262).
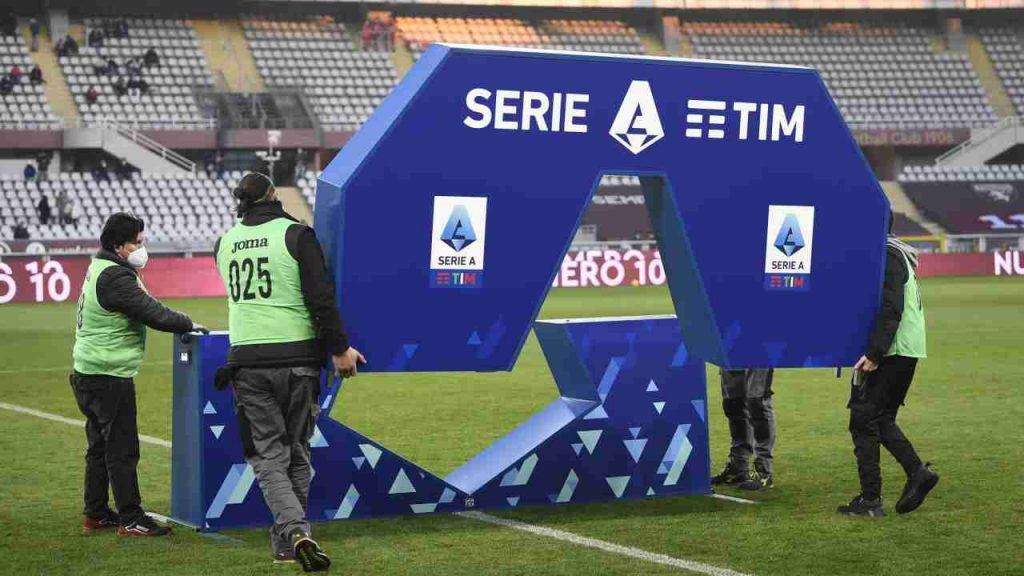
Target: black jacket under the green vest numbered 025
(318,294)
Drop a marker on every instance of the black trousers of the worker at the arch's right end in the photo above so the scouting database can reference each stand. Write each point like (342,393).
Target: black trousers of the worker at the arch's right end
(874,406)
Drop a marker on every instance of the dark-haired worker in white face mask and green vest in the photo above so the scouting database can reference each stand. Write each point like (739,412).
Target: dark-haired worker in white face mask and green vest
(114,311)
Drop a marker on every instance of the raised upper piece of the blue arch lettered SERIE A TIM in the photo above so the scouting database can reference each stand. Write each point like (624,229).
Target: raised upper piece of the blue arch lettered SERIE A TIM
(718,144)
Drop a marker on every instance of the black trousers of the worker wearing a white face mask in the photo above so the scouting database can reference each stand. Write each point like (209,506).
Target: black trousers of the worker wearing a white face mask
(112,459)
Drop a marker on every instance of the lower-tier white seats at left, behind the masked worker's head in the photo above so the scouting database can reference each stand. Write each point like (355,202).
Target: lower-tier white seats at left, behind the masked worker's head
(178,208)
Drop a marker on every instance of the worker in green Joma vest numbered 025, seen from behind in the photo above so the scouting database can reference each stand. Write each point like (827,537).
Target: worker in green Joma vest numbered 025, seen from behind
(284,324)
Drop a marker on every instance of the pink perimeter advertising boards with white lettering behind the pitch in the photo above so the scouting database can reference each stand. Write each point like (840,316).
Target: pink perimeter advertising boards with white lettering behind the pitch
(59,279)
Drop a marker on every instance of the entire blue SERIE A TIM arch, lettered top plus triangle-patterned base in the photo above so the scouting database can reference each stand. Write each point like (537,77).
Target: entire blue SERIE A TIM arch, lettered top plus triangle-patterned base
(447,217)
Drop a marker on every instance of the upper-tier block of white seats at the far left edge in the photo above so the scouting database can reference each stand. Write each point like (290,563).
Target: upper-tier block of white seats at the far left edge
(26,106)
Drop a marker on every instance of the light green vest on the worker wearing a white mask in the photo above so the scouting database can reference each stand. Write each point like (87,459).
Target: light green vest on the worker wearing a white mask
(106,343)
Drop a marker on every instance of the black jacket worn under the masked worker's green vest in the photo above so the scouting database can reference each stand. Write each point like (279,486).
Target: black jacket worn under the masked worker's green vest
(118,291)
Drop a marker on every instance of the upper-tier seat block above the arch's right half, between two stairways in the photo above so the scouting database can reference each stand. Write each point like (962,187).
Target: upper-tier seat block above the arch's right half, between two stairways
(882,76)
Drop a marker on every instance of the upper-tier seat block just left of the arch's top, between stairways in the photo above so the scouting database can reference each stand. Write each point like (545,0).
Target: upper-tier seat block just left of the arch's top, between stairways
(344,99)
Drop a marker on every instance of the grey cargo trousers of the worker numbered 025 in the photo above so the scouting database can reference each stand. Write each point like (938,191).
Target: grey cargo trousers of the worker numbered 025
(277,409)
